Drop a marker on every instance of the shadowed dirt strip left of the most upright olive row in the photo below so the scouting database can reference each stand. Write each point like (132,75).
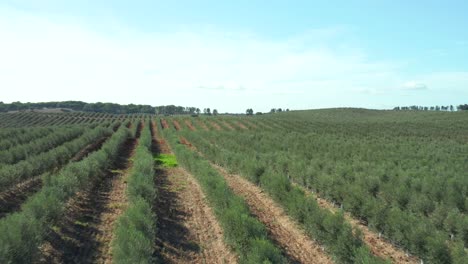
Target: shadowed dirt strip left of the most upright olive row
(85,233)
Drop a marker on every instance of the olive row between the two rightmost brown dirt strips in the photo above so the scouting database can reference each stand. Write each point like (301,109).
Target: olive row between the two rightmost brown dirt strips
(329,229)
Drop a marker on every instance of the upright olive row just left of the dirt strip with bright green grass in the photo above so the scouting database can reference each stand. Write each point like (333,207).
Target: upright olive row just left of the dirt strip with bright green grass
(136,229)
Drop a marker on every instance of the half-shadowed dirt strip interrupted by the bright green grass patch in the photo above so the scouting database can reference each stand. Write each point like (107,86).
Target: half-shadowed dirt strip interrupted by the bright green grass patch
(188,231)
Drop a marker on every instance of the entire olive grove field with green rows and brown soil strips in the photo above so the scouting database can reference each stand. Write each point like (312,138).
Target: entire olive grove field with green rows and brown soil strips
(316,186)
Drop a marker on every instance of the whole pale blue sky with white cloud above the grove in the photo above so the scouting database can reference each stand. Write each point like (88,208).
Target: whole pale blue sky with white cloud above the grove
(234,55)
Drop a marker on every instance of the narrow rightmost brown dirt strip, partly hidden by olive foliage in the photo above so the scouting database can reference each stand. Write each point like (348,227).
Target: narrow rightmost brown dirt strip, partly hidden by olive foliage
(378,245)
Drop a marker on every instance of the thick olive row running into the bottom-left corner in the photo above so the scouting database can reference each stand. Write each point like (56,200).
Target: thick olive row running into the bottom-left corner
(23,232)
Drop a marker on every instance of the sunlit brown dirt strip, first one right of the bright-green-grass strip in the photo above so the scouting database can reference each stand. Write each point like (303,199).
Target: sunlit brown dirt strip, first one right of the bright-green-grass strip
(284,231)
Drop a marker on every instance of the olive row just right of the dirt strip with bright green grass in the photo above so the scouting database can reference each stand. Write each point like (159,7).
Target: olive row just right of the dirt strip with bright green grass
(241,231)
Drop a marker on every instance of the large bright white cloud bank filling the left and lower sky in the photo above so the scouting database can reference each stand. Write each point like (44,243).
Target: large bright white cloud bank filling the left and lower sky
(52,58)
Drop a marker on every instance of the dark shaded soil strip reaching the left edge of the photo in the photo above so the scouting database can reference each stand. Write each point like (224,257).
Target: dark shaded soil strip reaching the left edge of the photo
(12,199)
